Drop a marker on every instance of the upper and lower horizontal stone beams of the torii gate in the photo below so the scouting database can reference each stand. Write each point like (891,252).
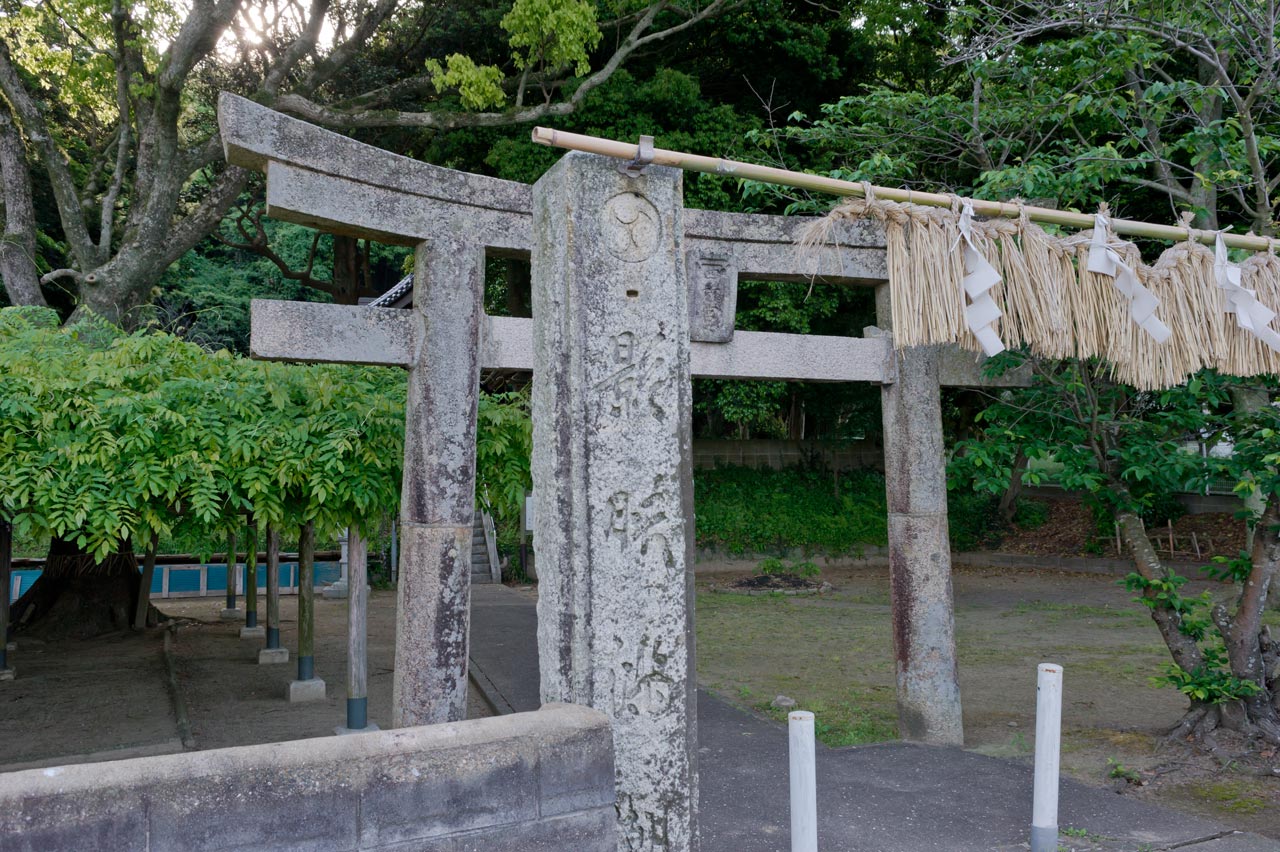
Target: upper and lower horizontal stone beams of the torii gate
(327,181)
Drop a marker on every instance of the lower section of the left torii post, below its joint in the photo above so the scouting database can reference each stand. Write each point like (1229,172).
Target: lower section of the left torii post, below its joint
(435,594)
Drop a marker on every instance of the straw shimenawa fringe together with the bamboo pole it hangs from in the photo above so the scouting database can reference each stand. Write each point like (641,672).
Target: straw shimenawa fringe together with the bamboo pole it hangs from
(1049,299)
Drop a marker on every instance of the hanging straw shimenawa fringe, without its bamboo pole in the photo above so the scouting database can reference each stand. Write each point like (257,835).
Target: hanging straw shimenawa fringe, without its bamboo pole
(1053,304)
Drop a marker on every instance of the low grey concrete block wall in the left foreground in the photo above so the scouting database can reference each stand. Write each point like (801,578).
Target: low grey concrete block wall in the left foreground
(532,782)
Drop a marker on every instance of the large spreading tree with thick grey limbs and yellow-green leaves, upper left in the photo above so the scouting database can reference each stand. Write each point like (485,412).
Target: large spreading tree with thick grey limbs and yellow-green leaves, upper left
(113,106)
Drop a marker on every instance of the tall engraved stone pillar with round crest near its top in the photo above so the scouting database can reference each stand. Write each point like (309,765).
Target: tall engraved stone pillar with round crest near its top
(614,479)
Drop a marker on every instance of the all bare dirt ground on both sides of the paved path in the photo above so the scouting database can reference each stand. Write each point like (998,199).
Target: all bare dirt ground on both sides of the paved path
(831,653)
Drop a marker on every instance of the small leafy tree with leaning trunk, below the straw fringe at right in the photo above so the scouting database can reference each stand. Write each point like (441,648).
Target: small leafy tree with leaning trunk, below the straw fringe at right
(1127,451)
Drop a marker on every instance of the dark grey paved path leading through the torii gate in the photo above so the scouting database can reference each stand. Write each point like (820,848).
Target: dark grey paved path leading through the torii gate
(893,798)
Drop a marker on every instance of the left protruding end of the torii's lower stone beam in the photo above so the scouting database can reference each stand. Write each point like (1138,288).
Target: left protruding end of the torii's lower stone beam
(313,333)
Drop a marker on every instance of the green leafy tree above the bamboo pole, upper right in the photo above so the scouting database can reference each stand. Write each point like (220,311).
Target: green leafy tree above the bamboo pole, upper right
(1154,109)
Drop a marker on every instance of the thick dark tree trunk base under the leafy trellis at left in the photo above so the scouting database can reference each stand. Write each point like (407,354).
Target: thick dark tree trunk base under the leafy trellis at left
(75,598)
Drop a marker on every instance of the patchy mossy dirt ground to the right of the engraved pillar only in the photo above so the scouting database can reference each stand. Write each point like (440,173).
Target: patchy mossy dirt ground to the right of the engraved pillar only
(834,656)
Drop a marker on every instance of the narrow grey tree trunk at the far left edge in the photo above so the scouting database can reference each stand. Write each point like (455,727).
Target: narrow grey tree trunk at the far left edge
(19,273)
